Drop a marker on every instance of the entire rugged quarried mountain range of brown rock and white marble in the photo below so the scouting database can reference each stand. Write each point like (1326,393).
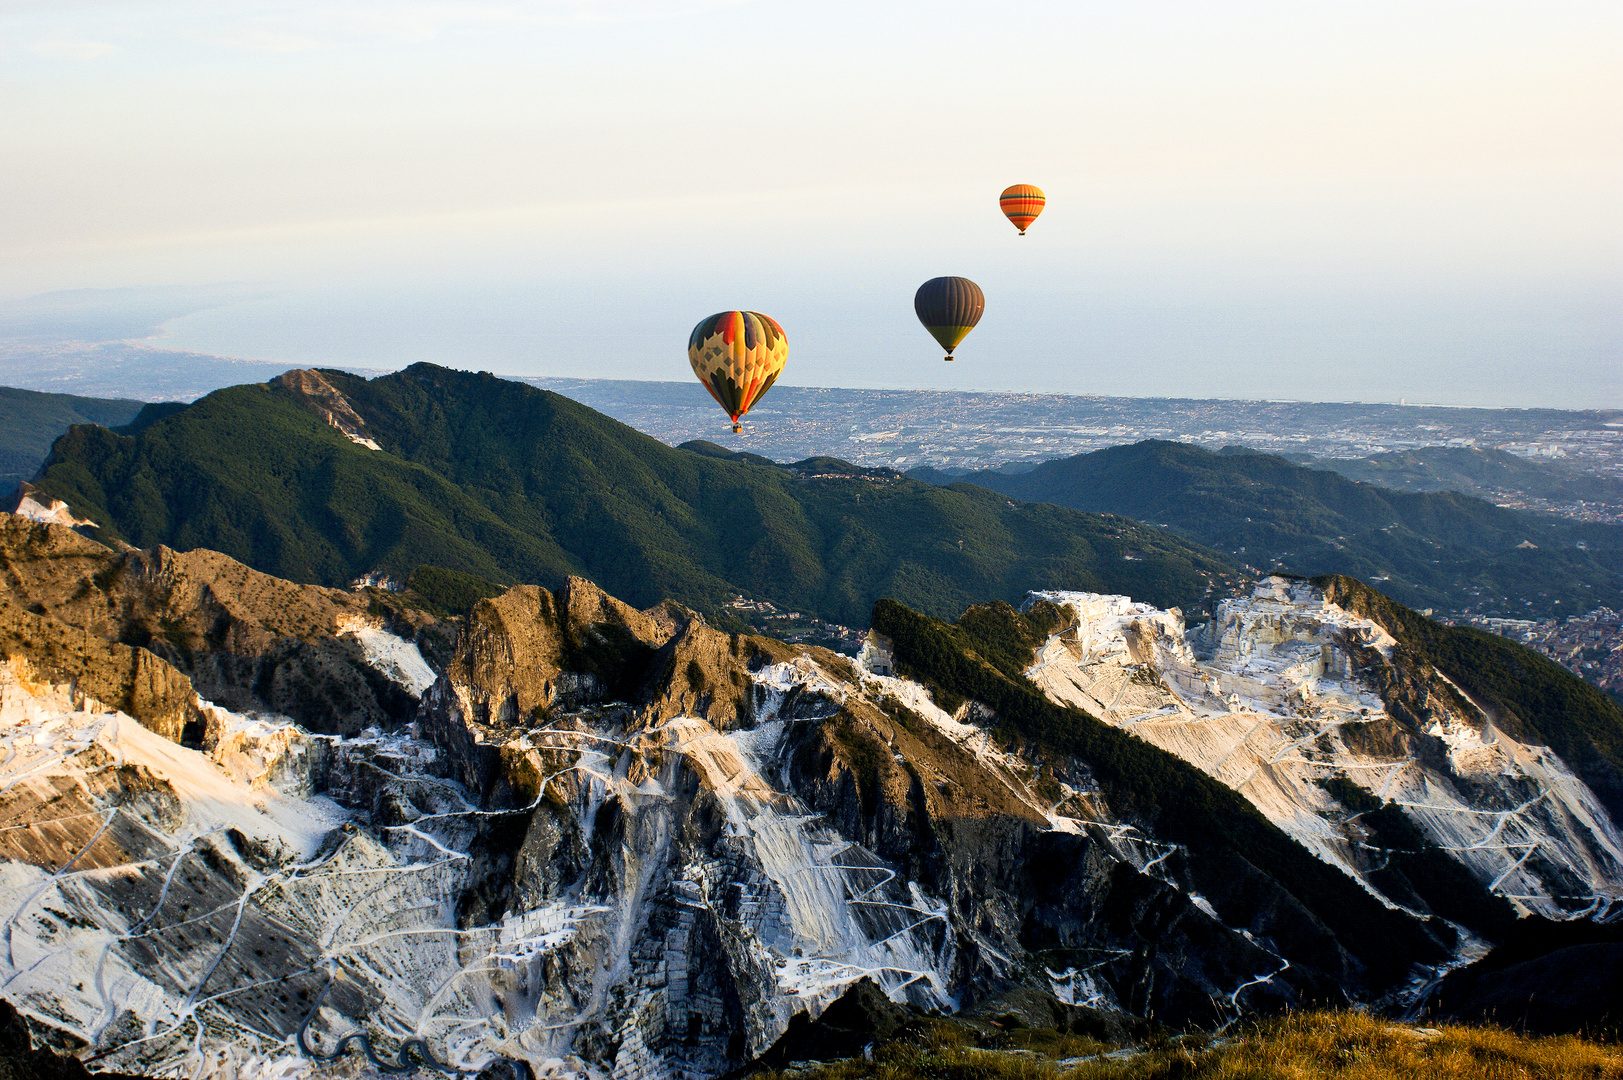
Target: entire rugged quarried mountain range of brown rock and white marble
(262,829)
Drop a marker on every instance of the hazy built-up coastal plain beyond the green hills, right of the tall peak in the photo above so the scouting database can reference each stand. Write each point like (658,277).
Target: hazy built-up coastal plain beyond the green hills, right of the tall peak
(957,431)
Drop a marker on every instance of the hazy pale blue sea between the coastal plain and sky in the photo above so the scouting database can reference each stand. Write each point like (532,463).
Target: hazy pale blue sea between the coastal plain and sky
(1509,353)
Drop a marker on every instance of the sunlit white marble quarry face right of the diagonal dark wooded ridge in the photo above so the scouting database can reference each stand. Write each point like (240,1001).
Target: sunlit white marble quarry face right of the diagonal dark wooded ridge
(1280,694)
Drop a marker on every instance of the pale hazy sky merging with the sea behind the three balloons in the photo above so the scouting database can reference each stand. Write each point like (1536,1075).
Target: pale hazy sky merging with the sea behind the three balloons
(1312,201)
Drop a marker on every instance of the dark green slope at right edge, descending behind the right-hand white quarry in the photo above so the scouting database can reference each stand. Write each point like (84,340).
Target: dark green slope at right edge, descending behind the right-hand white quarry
(1525,694)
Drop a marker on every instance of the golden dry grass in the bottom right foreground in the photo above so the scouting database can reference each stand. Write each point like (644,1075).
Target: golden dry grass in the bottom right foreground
(1307,1047)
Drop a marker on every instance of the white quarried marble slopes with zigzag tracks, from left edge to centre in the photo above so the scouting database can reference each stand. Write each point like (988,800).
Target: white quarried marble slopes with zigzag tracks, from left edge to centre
(183,912)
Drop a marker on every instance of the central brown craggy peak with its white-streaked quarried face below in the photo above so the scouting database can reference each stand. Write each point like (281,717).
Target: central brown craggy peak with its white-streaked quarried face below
(746,831)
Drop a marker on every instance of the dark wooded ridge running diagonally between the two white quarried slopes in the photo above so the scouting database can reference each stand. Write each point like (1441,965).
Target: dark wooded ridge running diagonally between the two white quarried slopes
(984,657)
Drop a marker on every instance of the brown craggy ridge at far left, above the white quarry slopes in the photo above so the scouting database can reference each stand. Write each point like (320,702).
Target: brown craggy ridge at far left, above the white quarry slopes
(243,639)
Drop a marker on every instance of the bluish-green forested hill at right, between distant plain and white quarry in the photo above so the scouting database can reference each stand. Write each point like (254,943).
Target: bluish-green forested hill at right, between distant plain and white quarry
(1427,550)
